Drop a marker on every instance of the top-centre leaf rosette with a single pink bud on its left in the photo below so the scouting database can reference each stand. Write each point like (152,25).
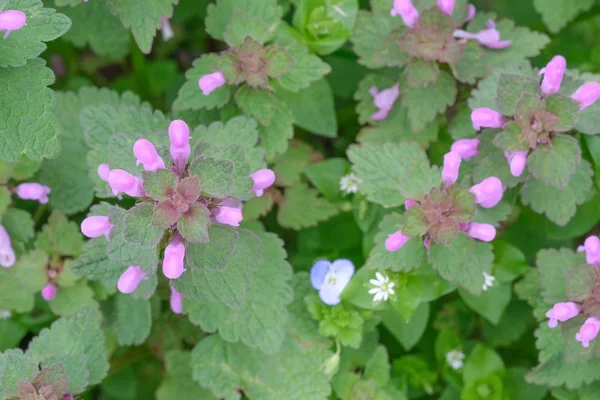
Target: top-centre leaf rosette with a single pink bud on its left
(263,72)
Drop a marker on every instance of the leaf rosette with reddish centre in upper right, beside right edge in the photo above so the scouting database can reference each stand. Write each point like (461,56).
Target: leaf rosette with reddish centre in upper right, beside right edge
(557,178)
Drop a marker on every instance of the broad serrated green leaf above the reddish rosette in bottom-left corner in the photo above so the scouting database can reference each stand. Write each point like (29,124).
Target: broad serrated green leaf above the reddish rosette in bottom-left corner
(77,337)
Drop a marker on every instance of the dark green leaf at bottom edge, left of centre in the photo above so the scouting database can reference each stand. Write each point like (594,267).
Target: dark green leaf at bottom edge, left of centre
(178,382)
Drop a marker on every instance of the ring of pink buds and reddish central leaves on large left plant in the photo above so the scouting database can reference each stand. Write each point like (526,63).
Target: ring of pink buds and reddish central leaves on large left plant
(178,201)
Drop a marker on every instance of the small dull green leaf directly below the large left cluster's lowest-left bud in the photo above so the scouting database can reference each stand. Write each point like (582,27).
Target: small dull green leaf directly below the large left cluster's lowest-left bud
(131,320)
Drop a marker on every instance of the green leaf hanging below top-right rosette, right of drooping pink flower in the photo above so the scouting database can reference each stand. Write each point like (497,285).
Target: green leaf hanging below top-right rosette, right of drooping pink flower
(423,105)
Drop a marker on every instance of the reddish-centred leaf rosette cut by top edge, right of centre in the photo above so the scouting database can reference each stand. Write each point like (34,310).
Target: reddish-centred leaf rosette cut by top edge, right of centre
(427,86)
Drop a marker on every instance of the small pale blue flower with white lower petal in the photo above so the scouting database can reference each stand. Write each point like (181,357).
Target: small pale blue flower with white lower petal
(330,279)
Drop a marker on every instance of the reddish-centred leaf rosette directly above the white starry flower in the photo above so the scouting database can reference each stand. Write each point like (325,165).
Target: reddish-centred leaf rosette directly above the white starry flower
(394,172)
